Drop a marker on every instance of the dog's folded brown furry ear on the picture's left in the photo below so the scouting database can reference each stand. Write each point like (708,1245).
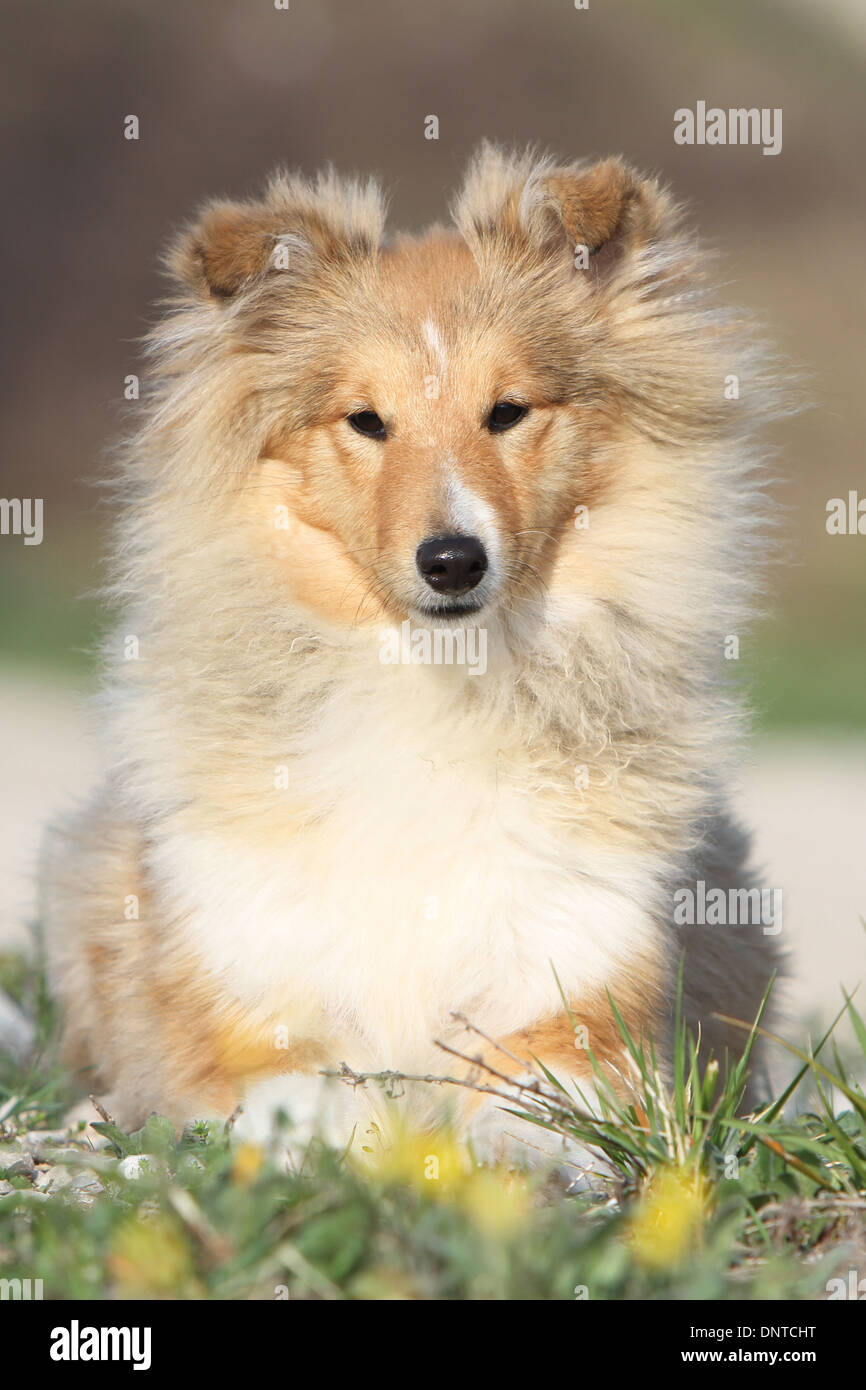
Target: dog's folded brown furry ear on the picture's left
(234,247)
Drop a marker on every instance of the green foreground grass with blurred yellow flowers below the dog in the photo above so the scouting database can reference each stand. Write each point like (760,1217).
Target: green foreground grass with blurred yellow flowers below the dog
(693,1203)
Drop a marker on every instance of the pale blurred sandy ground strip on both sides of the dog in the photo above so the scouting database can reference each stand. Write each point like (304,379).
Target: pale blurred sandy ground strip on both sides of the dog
(806,800)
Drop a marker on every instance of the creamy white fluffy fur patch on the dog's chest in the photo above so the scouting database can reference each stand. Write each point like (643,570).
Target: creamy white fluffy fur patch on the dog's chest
(430,885)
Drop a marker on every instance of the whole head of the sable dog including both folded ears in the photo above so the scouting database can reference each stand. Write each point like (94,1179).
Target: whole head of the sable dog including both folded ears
(430,412)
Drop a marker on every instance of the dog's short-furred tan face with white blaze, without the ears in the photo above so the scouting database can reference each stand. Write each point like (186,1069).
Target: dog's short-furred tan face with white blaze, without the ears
(444,455)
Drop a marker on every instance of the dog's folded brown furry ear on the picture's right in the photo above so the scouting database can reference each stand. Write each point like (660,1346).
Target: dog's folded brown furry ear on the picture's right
(601,212)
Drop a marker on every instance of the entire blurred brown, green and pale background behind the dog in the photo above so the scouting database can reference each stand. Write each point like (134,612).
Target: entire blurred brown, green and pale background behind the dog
(227,90)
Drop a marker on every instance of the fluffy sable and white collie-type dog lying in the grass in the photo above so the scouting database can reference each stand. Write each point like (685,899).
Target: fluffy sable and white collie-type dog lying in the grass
(429,554)
